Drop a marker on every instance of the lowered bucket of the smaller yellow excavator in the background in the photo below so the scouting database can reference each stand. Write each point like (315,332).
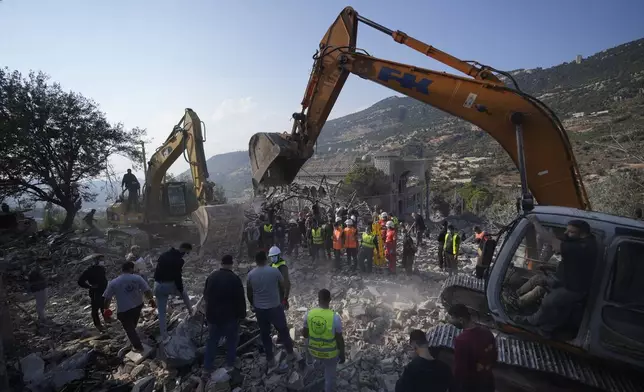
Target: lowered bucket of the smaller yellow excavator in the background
(220,228)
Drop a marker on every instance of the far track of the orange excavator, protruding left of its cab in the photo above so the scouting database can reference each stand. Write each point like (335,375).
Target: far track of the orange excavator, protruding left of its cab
(469,291)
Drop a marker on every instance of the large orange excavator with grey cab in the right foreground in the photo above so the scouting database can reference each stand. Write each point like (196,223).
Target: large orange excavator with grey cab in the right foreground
(602,347)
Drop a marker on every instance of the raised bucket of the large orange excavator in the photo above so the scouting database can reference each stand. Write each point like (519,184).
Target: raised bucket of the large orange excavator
(274,161)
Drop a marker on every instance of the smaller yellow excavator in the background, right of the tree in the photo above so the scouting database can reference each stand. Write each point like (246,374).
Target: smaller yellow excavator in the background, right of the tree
(165,204)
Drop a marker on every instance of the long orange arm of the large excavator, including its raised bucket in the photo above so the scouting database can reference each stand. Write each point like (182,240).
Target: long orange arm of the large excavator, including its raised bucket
(527,129)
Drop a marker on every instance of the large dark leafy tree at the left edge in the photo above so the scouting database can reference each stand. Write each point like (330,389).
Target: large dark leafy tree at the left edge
(53,141)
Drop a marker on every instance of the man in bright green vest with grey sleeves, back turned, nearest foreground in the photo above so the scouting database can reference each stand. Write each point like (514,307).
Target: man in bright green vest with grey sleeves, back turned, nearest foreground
(323,330)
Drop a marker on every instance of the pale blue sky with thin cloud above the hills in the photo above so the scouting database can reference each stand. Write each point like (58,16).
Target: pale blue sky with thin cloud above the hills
(243,65)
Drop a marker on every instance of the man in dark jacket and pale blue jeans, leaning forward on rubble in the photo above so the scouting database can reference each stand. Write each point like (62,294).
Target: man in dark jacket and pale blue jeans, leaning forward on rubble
(168,281)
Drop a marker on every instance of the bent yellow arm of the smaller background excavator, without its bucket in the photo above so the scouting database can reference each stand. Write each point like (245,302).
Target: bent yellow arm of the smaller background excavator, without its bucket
(186,139)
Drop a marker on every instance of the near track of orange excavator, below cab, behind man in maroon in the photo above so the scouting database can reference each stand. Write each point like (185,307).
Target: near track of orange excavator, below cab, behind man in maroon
(531,366)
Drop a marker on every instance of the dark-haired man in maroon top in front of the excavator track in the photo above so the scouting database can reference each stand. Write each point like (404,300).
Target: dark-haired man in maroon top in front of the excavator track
(475,353)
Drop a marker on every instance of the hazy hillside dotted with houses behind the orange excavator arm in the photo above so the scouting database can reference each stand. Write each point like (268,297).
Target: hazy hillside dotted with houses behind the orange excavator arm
(611,80)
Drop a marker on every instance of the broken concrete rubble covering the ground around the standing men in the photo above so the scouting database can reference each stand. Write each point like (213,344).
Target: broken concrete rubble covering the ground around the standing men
(377,310)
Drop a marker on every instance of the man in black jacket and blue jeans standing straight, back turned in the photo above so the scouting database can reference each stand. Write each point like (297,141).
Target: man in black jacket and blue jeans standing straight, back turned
(225,307)
